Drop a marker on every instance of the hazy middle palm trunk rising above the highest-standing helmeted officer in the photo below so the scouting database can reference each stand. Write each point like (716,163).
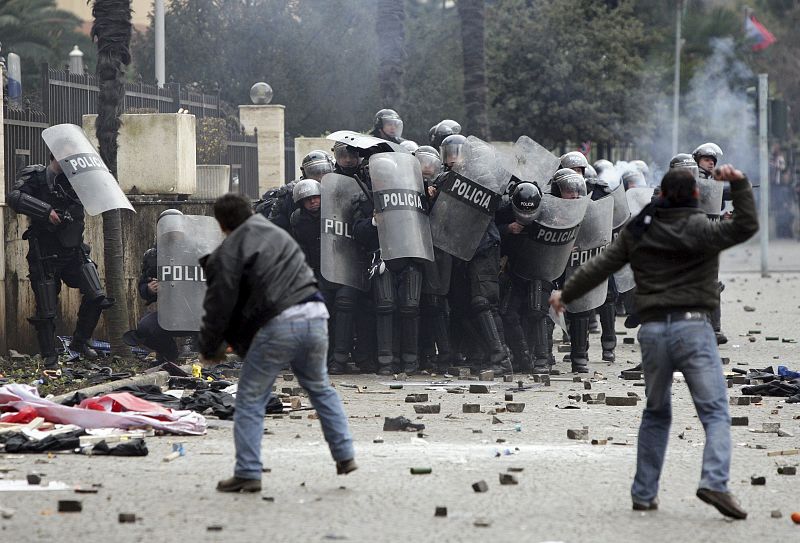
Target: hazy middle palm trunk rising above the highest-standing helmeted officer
(390,28)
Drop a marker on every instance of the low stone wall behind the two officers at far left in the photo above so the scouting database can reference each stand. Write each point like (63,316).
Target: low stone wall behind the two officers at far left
(138,234)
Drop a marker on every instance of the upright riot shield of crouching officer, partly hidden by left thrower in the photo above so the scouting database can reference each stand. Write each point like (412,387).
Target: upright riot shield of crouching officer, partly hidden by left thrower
(182,241)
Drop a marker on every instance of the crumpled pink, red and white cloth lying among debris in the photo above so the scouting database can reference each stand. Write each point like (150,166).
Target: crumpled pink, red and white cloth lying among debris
(18,396)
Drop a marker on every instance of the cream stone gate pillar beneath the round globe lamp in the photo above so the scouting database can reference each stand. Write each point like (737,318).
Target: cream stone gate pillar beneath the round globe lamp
(268,121)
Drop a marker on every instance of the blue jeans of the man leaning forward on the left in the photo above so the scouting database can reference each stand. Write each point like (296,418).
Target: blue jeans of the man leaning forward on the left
(302,344)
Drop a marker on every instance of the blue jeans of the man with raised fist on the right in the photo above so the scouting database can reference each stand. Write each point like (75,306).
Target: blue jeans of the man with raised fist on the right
(688,346)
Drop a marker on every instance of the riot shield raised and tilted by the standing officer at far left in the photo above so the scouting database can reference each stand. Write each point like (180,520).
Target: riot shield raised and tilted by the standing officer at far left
(96,188)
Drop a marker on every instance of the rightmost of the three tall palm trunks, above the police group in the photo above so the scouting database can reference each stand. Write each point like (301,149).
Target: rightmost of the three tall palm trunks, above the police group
(476,89)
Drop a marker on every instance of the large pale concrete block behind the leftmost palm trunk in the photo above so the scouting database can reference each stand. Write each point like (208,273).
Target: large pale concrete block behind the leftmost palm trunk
(157,152)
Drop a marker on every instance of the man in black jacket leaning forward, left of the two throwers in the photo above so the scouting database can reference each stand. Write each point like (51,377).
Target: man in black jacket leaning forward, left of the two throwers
(262,299)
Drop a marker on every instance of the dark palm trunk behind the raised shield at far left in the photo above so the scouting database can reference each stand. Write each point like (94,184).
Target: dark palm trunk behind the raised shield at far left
(112,33)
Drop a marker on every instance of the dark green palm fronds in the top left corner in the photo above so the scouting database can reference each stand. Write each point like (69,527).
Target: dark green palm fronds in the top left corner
(39,32)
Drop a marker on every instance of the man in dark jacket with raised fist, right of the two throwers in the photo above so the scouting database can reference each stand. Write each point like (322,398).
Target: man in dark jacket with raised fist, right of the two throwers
(673,250)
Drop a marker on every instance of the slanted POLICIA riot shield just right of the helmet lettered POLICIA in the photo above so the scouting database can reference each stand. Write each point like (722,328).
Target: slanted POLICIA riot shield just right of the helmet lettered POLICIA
(547,242)
